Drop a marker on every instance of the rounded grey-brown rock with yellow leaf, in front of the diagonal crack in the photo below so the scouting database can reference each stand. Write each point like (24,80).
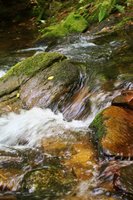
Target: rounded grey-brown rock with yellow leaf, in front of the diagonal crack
(49,85)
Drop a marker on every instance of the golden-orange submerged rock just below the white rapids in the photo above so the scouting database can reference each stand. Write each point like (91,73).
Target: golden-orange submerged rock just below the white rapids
(76,150)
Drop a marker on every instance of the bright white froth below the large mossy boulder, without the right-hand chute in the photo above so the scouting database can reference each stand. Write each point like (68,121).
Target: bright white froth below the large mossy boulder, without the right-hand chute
(29,127)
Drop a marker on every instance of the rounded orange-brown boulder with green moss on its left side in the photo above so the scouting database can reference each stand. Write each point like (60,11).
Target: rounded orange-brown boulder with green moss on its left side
(113,130)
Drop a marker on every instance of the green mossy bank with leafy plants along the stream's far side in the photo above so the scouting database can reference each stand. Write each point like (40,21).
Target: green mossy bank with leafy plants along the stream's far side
(79,16)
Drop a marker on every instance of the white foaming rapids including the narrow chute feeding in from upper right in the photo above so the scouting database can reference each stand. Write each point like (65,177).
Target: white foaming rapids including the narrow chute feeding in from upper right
(27,128)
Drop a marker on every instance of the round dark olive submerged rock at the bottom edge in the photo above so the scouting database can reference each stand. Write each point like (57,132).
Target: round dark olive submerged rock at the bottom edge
(48,182)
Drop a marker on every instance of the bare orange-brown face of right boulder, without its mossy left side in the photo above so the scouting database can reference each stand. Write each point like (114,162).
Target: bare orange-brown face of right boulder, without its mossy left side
(118,138)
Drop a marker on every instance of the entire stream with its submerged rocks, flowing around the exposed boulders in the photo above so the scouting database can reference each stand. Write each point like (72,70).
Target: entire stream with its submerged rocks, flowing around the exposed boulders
(41,141)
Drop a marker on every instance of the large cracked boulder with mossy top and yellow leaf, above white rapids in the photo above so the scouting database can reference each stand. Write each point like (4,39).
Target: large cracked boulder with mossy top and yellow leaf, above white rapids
(43,80)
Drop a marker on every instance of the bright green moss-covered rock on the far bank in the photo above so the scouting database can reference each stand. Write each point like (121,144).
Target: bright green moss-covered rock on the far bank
(73,23)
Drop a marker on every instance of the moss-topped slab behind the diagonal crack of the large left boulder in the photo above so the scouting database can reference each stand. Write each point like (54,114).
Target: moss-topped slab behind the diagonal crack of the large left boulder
(18,75)
